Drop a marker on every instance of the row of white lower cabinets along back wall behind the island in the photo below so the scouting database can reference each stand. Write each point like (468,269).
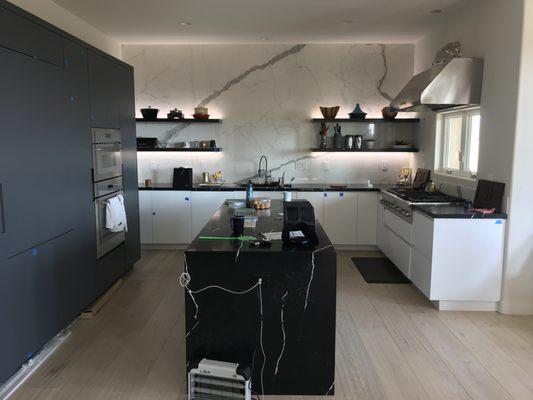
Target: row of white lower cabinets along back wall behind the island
(176,217)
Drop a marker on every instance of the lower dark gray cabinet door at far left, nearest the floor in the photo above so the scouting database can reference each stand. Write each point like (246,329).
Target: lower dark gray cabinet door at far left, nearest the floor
(30,300)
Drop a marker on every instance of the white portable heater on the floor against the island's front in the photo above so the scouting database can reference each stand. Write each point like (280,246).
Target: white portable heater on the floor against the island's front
(216,380)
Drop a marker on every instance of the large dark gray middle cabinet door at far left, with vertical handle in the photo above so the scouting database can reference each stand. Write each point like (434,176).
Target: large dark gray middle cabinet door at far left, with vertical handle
(35,140)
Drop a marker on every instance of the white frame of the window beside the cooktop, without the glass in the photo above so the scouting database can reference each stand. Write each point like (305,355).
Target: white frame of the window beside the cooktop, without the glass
(466,142)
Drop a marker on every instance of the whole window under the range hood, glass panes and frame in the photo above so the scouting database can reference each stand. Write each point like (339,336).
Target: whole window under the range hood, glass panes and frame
(457,149)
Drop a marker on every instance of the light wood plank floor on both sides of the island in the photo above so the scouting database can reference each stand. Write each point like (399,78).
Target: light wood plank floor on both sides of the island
(391,344)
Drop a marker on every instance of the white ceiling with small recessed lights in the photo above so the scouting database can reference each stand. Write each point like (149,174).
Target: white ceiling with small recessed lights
(247,21)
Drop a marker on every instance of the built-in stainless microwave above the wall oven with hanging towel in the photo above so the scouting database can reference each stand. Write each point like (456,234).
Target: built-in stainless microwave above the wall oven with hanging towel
(107,154)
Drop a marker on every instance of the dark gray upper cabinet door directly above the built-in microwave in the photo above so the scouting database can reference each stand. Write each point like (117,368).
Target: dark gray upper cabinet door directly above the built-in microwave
(104,92)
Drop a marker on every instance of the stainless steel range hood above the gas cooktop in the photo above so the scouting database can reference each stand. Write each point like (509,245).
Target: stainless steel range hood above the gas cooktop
(449,85)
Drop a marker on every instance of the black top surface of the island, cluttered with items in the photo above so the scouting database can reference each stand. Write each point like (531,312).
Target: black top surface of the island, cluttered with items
(267,221)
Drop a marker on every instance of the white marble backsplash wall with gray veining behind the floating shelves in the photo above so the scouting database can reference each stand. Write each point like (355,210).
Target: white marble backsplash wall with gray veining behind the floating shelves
(266,96)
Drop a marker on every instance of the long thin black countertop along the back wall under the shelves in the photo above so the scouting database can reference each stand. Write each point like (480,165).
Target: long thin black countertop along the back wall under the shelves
(300,187)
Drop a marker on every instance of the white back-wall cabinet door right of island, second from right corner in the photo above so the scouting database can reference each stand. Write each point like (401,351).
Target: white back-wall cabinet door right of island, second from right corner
(340,210)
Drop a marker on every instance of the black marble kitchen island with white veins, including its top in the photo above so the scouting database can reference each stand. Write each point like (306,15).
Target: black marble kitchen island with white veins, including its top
(272,309)
